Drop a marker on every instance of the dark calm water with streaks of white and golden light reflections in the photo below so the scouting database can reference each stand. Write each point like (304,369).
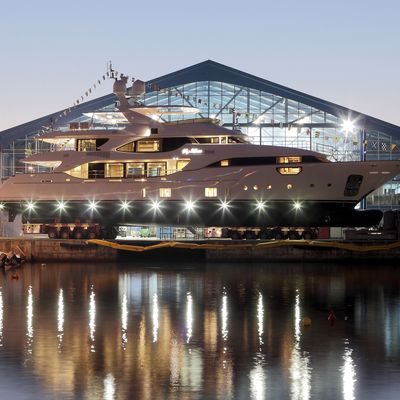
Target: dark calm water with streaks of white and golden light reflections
(217,331)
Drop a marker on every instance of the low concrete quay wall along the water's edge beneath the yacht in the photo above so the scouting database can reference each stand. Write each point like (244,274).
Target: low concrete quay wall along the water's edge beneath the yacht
(58,250)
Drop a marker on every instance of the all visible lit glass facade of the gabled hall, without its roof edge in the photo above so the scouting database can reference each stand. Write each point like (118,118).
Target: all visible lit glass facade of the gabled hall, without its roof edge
(266,118)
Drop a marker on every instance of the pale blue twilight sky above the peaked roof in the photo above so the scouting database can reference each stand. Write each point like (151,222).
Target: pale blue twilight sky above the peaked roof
(345,51)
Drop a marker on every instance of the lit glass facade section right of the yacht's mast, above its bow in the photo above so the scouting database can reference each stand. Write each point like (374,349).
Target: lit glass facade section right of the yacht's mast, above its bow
(268,119)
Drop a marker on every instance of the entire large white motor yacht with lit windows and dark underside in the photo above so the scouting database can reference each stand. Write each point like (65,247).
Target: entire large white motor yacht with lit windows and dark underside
(190,173)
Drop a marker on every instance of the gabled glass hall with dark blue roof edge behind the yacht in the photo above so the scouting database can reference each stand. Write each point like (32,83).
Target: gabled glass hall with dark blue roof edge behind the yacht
(270,114)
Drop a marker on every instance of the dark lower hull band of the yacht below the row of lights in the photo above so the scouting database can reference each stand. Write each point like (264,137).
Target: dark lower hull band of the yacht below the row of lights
(202,213)
